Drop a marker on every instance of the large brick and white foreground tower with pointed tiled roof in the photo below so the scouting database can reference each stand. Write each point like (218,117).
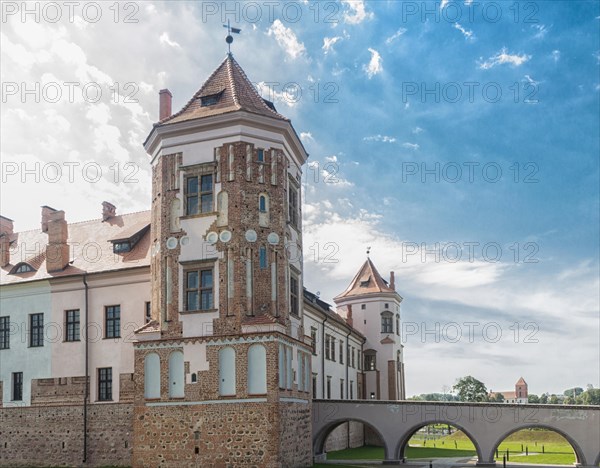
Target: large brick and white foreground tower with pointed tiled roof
(222,369)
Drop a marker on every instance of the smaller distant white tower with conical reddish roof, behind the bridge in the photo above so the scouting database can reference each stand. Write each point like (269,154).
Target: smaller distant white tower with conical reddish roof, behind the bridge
(374,306)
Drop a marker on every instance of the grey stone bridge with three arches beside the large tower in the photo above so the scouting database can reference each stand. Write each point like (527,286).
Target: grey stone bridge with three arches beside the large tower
(486,424)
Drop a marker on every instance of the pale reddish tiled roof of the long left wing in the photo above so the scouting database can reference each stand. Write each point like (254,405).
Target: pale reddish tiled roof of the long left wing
(90,248)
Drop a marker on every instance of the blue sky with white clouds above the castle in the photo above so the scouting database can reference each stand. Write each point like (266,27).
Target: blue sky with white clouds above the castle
(459,141)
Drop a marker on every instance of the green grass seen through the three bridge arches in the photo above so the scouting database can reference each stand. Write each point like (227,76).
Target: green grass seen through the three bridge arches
(544,447)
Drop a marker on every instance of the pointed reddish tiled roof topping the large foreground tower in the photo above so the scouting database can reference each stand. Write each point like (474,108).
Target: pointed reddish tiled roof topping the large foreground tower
(235,92)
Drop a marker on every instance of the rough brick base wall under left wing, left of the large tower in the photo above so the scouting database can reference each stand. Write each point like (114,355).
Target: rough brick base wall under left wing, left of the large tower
(53,435)
